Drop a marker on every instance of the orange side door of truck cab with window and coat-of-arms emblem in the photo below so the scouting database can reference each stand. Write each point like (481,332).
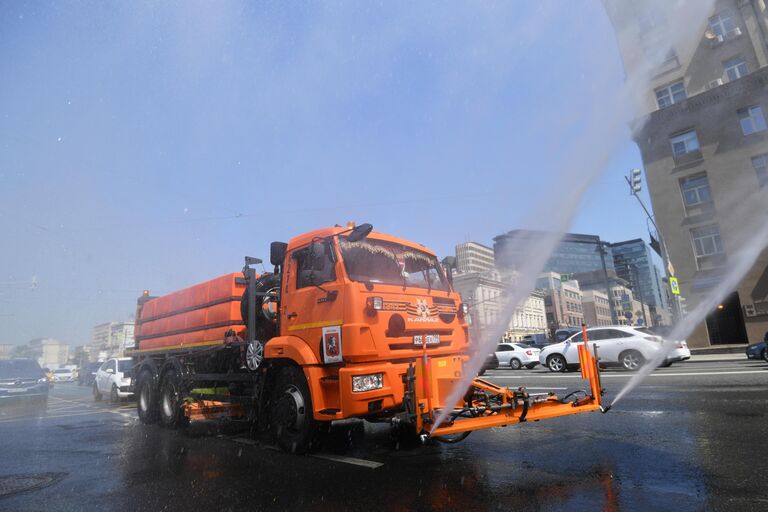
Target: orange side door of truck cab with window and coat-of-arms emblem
(312,300)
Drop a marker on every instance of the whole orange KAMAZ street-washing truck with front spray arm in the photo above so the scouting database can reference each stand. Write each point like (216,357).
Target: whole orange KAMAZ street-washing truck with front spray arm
(350,324)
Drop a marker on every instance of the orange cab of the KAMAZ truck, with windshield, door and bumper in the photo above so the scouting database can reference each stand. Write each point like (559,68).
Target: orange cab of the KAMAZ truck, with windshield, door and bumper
(354,313)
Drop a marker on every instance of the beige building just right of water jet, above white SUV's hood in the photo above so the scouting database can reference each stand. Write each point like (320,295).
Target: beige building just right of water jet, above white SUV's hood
(562,301)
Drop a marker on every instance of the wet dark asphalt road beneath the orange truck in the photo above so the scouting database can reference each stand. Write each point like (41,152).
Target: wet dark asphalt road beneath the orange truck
(691,437)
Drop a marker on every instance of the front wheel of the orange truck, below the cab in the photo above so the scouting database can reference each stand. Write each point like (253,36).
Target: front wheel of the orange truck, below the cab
(291,420)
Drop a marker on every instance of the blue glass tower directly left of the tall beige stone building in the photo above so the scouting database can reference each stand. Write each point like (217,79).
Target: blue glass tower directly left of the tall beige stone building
(634,263)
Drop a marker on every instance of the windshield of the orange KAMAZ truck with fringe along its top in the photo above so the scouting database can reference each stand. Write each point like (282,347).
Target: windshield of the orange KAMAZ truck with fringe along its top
(377,261)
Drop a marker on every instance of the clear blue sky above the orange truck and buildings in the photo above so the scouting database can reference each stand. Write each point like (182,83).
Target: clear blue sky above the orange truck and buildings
(153,146)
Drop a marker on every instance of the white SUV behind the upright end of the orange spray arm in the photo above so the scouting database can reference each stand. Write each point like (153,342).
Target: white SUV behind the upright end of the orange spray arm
(622,346)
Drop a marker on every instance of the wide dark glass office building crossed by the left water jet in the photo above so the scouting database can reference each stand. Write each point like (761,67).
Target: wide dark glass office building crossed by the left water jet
(574,253)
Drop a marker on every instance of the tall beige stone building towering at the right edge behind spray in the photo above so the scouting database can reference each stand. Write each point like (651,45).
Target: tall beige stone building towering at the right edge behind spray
(702,135)
